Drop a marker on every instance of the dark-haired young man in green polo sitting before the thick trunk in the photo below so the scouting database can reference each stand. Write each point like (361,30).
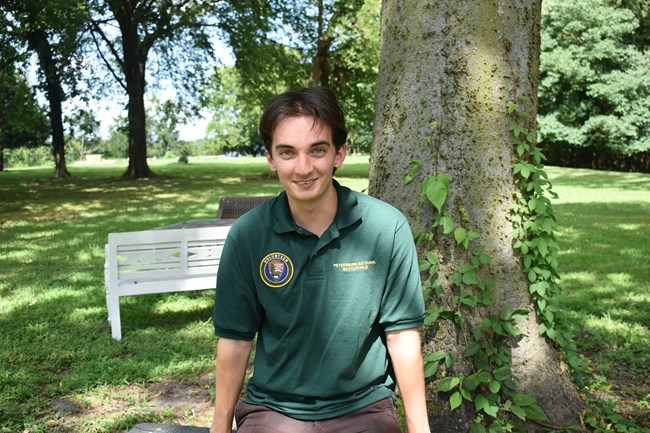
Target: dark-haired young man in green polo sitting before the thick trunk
(328,281)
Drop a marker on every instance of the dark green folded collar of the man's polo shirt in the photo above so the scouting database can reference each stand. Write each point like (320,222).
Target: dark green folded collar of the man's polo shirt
(347,212)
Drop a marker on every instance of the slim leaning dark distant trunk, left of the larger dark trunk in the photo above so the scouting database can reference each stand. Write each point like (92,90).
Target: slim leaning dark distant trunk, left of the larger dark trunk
(38,42)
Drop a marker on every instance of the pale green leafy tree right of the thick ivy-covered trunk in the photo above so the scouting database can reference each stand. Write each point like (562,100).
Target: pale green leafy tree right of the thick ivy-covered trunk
(594,106)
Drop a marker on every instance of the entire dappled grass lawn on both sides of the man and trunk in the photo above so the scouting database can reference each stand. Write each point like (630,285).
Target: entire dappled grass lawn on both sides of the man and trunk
(60,370)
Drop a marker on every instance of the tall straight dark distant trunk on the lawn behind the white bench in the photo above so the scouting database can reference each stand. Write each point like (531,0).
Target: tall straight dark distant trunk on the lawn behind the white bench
(133,65)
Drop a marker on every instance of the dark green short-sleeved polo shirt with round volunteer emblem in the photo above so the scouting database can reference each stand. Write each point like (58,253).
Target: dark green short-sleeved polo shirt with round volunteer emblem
(320,307)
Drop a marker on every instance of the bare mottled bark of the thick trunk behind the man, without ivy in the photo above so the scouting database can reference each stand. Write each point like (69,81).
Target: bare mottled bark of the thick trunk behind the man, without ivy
(456,65)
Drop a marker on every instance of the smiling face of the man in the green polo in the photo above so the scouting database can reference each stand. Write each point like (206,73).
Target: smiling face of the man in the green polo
(304,156)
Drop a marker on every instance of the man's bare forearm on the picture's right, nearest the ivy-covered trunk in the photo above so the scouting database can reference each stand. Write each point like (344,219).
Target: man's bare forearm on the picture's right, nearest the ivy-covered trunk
(406,356)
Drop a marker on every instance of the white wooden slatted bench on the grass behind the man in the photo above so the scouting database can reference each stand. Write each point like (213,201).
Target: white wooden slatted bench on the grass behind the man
(159,261)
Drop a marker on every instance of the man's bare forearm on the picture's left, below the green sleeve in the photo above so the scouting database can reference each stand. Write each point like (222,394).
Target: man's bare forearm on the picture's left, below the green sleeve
(232,360)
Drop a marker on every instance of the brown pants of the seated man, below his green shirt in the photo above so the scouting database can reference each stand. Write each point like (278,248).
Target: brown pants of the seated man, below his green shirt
(380,417)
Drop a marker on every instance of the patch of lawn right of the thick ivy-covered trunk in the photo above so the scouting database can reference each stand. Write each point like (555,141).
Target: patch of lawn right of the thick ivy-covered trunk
(604,237)
